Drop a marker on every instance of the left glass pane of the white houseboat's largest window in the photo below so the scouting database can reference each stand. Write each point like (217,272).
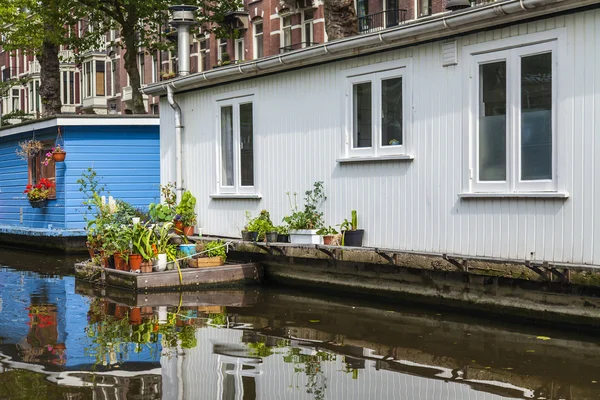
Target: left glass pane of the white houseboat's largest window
(492,122)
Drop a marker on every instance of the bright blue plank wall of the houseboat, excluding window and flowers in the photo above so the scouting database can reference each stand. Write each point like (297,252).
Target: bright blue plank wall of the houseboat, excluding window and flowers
(126,159)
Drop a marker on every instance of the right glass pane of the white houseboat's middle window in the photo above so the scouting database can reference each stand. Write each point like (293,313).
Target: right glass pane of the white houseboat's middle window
(391,109)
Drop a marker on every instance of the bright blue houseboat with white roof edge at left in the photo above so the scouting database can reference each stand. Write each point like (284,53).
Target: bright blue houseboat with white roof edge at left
(124,151)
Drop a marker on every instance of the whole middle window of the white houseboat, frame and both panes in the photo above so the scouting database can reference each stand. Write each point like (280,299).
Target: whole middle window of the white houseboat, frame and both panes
(378,110)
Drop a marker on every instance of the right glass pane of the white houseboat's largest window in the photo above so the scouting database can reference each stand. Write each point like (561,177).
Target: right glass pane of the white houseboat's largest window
(536,117)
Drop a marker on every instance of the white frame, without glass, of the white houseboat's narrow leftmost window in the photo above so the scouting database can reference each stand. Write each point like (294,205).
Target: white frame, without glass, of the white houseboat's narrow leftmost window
(235,99)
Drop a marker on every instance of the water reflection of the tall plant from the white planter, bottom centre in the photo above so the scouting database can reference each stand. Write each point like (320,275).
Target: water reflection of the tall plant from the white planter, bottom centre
(310,364)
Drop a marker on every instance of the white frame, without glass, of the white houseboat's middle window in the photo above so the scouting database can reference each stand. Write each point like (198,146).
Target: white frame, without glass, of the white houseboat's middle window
(376,74)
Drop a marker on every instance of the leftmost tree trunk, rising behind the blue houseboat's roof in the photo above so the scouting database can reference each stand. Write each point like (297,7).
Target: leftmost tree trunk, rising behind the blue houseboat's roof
(50,79)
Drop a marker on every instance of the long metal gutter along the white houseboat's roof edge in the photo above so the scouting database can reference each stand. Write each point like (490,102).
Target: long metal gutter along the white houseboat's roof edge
(436,27)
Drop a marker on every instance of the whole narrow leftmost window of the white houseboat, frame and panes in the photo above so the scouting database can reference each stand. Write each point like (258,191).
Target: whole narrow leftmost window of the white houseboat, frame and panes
(236,145)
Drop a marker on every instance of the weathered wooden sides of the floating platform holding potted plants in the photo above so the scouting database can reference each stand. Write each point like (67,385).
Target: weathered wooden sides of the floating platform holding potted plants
(191,278)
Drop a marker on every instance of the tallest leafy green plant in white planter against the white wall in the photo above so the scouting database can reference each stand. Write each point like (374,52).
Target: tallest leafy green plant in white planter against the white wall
(310,217)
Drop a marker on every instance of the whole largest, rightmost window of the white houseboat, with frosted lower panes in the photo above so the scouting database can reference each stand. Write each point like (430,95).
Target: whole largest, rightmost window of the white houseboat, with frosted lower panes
(513,100)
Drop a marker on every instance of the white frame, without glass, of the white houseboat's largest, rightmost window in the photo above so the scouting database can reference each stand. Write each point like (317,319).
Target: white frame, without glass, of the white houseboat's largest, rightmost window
(511,51)
